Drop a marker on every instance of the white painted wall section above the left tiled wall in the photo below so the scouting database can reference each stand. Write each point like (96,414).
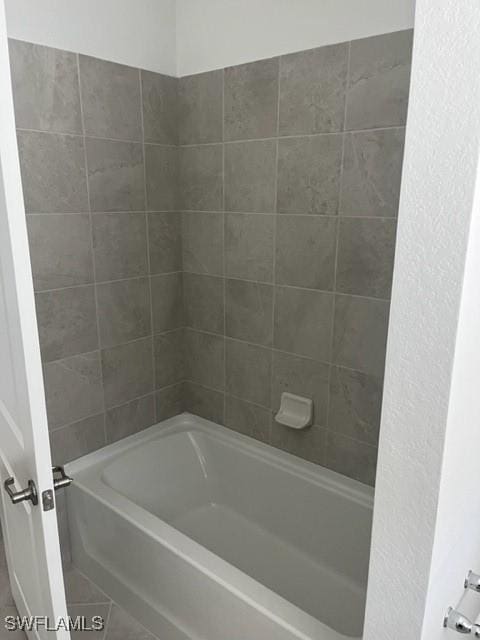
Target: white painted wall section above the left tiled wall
(140,33)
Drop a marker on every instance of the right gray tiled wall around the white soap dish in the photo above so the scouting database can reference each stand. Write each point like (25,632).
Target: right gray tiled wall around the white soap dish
(289,183)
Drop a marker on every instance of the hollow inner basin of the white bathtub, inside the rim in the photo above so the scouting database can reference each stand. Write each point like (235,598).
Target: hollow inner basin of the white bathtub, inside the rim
(282,527)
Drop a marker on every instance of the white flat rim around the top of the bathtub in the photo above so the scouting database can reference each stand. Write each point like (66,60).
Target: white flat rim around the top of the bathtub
(239,583)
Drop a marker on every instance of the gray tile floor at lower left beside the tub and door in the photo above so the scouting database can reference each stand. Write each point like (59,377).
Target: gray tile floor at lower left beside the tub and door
(83,599)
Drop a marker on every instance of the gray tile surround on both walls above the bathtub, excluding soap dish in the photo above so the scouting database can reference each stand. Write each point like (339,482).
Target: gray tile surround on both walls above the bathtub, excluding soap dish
(210,242)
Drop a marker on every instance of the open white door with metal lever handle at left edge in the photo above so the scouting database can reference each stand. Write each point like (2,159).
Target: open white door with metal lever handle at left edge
(30,531)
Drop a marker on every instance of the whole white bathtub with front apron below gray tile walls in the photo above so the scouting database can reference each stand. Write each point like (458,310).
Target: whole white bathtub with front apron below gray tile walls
(205,534)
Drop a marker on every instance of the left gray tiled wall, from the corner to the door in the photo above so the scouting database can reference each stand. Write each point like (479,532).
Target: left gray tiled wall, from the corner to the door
(98,155)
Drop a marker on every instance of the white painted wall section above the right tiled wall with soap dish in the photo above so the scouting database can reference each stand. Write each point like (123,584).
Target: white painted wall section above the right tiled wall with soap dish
(216,33)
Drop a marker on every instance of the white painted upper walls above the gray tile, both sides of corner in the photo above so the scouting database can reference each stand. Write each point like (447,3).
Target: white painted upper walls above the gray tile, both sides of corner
(179,37)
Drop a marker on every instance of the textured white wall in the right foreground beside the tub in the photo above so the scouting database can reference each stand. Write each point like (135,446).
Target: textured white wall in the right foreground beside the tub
(427,509)
